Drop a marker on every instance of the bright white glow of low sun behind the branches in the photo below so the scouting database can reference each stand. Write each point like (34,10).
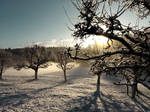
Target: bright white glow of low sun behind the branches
(98,40)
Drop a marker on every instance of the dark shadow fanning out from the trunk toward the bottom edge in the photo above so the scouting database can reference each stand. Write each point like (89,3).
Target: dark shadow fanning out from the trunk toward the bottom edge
(102,102)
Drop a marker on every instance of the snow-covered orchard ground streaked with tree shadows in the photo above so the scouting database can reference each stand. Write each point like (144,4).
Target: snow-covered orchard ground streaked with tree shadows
(19,93)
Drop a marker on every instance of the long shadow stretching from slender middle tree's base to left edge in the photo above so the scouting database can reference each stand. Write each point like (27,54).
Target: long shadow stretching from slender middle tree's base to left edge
(15,99)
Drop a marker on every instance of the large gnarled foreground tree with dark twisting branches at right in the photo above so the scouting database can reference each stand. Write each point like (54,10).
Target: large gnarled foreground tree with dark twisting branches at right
(97,17)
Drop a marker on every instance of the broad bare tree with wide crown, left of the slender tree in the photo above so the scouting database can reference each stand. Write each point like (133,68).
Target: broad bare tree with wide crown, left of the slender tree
(34,58)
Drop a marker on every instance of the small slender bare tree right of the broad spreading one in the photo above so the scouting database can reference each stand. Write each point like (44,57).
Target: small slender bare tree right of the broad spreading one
(64,63)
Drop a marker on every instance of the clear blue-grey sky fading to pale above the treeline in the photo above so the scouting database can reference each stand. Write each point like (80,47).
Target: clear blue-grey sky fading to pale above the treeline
(24,22)
